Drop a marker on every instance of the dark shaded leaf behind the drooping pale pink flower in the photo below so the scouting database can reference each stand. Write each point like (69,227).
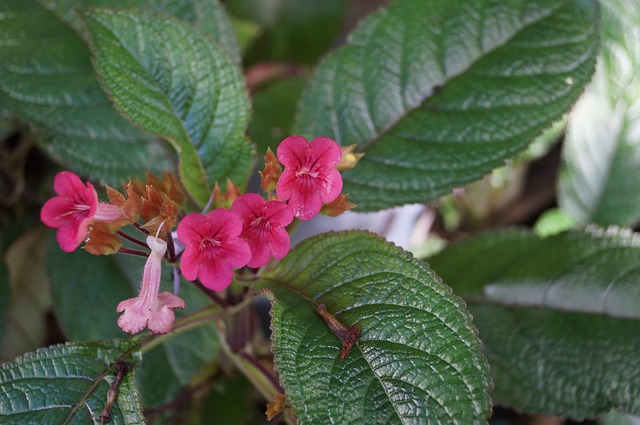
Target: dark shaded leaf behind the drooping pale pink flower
(86,290)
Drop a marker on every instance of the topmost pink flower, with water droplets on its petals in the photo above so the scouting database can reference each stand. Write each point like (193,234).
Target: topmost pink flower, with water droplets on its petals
(310,176)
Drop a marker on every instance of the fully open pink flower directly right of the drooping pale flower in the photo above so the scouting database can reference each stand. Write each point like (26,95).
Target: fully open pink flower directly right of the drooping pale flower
(212,247)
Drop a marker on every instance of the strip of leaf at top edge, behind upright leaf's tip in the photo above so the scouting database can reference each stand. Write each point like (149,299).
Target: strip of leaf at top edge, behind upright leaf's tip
(208,15)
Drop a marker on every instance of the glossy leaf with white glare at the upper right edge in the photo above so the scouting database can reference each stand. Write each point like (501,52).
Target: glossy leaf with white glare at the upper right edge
(602,148)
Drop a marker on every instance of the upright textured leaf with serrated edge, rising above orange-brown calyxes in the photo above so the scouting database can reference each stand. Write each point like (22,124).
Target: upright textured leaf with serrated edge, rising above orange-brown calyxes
(174,81)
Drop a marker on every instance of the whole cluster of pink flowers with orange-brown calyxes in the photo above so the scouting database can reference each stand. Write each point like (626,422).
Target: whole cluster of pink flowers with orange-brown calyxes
(242,229)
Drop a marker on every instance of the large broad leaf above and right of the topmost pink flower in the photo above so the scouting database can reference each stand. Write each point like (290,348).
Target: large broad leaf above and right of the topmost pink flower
(438,93)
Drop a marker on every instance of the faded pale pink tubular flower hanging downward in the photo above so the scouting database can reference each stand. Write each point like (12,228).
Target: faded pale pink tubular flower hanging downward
(150,308)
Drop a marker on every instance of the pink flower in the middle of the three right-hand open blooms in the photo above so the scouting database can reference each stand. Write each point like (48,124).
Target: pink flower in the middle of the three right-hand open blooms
(263,227)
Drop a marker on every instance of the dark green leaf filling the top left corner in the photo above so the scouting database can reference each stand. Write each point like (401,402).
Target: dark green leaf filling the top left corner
(46,78)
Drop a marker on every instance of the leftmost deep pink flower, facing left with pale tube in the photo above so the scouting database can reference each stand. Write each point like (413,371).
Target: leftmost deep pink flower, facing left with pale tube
(73,209)
